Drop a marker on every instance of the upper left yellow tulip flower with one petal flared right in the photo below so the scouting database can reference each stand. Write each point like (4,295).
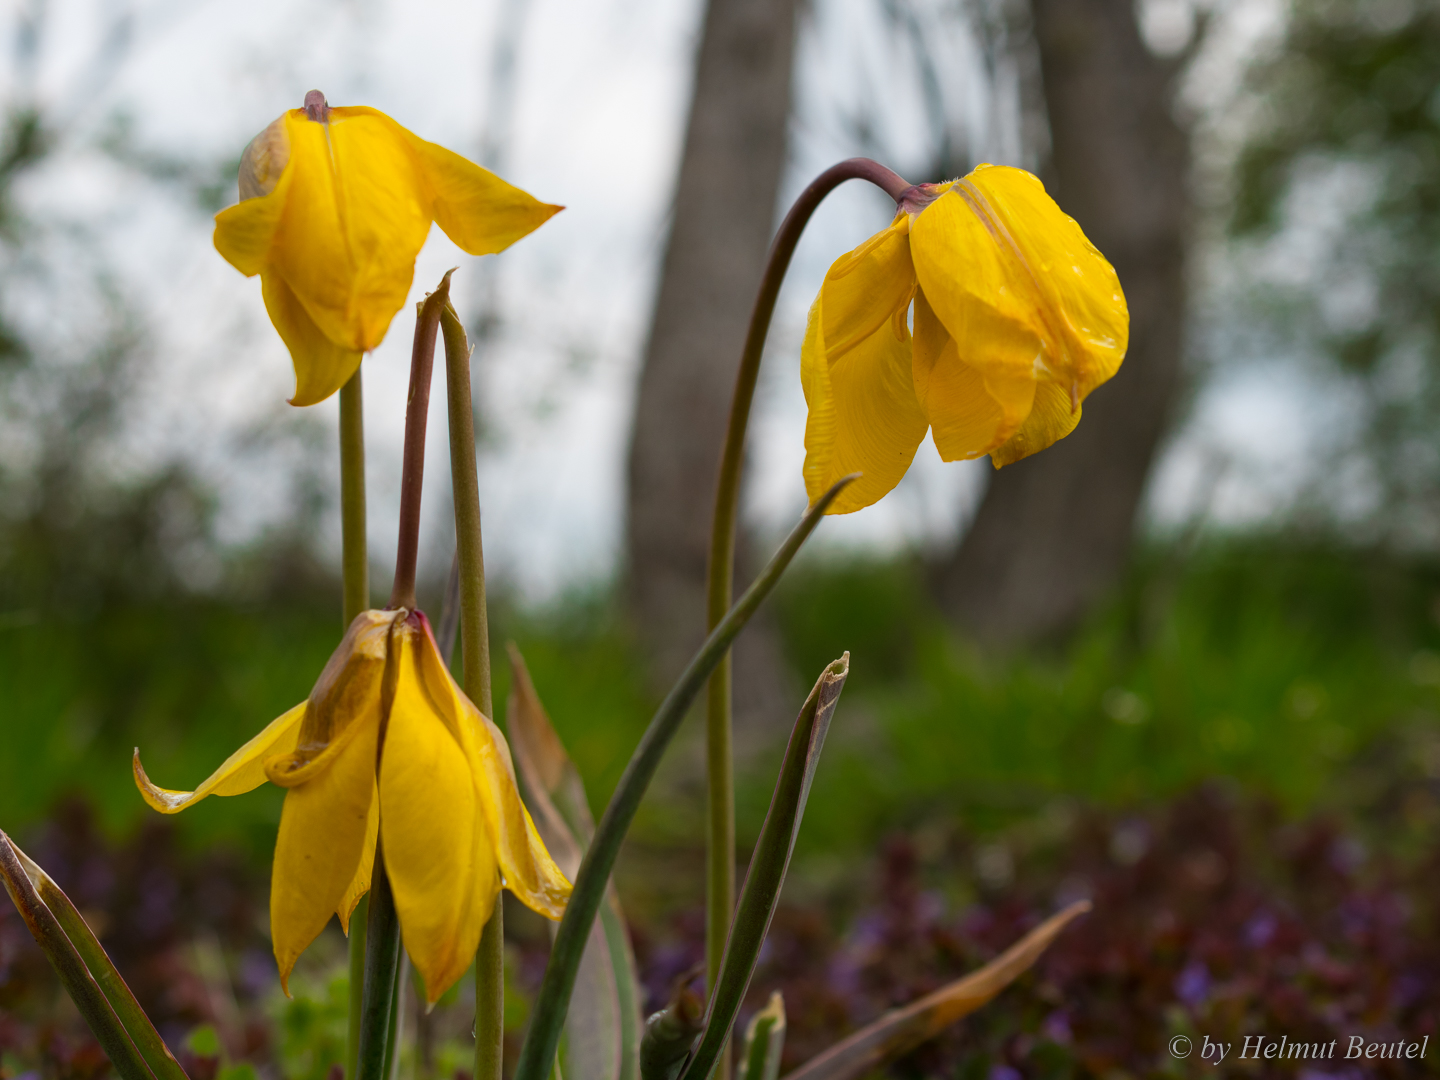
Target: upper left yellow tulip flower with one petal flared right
(335,207)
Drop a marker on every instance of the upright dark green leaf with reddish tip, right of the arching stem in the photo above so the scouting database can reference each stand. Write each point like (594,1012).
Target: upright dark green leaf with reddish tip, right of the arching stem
(768,866)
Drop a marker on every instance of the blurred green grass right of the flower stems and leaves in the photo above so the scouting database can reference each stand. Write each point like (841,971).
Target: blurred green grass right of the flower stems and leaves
(1278,666)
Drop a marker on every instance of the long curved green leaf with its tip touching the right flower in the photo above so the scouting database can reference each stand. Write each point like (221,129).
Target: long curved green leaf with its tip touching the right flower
(595,869)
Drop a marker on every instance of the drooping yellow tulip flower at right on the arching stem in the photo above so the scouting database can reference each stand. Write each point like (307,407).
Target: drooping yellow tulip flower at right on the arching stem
(1017,318)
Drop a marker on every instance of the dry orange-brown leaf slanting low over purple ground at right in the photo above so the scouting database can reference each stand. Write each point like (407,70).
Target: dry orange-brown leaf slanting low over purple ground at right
(905,1029)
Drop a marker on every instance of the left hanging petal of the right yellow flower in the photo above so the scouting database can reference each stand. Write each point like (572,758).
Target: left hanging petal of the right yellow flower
(856,372)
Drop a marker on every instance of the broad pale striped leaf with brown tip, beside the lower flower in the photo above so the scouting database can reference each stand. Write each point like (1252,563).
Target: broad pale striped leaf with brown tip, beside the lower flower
(603,1027)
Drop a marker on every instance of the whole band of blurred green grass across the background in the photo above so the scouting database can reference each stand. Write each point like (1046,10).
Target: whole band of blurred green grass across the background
(1274,663)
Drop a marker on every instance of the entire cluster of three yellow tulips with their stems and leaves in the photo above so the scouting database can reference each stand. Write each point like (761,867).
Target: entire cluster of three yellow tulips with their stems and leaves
(981,316)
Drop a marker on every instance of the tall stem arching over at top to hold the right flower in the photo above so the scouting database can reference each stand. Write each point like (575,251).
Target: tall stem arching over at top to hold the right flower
(721,571)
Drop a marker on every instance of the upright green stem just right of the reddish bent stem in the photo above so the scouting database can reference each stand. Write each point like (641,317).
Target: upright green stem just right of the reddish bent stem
(490,961)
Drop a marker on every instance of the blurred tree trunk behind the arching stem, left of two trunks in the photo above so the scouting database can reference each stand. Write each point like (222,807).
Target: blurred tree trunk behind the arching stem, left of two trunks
(724,218)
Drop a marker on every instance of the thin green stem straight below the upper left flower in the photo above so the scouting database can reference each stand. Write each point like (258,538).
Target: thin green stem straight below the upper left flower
(356,574)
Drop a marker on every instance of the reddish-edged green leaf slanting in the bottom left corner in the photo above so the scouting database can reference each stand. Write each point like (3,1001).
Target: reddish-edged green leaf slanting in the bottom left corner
(86,971)
